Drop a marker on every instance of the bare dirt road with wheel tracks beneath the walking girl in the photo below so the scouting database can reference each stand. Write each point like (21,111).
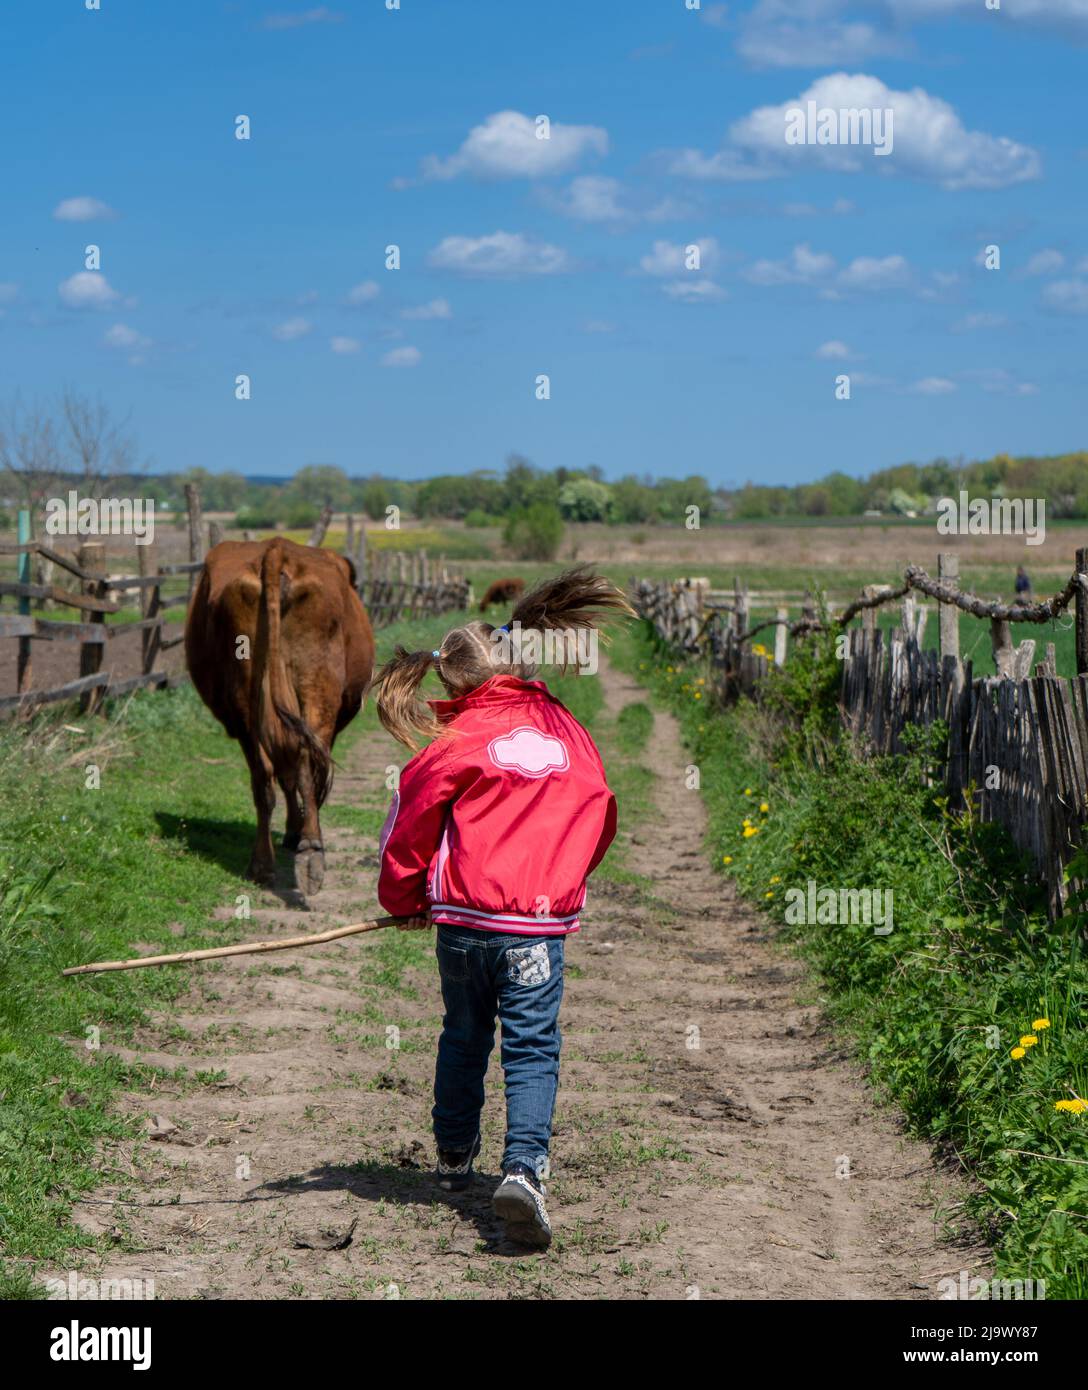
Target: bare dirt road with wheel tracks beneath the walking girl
(712,1138)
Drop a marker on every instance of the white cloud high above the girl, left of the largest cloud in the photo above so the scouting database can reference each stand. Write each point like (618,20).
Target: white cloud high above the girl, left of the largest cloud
(508,147)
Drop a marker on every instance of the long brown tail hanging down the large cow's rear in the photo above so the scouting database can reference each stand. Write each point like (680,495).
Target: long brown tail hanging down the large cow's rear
(281,729)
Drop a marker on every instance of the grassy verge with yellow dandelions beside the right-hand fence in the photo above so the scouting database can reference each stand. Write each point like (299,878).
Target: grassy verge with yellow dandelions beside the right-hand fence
(969,1014)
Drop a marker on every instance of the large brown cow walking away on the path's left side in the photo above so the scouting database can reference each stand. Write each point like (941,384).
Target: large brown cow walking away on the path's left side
(288,690)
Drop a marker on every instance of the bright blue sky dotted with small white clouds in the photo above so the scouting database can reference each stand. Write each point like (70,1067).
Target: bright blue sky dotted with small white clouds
(562,258)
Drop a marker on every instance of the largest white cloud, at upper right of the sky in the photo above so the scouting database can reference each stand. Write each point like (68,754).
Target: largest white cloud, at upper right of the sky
(929,142)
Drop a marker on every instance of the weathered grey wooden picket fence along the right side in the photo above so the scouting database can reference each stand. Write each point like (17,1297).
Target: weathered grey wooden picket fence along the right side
(1018,743)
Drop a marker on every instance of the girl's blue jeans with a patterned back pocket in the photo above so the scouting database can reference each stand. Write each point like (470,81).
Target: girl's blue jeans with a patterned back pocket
(519,979)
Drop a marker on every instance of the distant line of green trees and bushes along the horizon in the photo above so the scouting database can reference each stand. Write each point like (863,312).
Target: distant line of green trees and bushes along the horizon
(77,443)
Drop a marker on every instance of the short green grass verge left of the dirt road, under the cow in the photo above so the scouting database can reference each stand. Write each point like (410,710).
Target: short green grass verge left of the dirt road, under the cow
(127,829)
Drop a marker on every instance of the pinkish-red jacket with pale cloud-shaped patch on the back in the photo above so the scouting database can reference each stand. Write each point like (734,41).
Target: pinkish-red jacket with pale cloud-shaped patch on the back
(502,819)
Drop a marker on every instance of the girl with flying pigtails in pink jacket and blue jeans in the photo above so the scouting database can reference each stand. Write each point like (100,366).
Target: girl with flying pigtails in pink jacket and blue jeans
(494,833)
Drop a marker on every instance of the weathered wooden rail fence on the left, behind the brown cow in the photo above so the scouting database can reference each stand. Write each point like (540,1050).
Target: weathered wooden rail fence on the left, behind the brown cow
(393,586)
